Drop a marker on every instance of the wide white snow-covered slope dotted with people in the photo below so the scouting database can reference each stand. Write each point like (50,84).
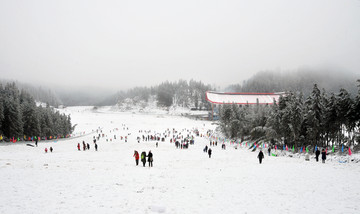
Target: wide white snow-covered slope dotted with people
(181,181)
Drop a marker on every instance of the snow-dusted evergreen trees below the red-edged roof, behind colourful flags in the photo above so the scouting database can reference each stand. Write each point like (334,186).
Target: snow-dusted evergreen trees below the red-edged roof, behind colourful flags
(320,119)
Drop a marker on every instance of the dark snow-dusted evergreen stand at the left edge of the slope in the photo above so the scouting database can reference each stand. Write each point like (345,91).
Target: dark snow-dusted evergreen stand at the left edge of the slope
(21,118)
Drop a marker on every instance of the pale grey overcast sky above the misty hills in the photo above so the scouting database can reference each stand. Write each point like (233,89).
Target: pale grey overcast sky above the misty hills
(121,44)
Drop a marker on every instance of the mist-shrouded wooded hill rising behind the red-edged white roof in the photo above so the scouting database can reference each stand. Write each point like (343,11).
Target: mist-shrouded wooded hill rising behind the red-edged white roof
(300,81)
